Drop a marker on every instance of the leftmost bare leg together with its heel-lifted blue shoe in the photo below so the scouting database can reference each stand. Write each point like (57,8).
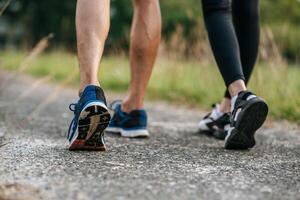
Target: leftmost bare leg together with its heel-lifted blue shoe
(91,116)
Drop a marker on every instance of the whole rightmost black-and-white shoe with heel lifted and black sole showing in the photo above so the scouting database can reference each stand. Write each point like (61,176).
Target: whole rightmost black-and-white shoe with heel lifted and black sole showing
(249,112)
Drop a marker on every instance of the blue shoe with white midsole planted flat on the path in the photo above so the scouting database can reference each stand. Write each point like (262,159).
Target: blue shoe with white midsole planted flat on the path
(133,124)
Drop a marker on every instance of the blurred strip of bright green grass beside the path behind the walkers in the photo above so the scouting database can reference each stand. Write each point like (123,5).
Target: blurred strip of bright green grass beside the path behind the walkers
(186,82)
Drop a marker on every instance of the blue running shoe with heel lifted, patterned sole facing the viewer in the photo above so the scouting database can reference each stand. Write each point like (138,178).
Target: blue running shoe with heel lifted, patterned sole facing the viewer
(91,117)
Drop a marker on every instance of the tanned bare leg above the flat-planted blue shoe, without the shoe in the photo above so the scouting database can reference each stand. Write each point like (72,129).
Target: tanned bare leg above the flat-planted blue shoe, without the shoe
(145,39)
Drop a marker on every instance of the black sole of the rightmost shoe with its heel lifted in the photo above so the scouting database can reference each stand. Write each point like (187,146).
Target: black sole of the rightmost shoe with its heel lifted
(249,120)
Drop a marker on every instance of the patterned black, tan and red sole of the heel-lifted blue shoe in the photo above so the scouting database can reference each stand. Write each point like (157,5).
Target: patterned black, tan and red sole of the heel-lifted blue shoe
(93,120)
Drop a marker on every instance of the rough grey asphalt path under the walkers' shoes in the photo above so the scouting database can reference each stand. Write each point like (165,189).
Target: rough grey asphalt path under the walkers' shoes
(176,162)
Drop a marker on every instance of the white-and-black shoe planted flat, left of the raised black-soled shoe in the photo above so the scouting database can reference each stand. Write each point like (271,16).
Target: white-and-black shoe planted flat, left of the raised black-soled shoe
(215,124)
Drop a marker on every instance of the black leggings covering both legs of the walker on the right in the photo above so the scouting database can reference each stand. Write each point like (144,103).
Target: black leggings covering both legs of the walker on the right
(233,30)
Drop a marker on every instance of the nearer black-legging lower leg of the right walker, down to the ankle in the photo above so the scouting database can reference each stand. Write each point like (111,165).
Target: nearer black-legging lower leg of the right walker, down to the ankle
(223,40)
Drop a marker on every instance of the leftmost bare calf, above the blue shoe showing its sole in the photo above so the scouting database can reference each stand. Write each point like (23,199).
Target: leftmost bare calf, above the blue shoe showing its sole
(92,25)
